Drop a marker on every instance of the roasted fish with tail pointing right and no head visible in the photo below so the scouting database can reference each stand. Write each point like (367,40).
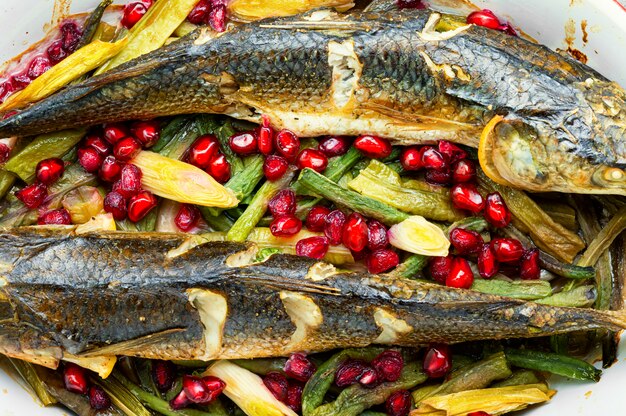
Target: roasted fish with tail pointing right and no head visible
(72,297)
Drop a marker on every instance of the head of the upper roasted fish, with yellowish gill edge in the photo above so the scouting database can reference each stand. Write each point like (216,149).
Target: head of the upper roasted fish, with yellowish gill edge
(575,150)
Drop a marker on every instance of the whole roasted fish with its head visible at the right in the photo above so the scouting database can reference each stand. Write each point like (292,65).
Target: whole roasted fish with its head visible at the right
(556,124)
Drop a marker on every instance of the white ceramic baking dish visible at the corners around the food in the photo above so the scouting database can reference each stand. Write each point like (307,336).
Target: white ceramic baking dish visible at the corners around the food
(548,21)
